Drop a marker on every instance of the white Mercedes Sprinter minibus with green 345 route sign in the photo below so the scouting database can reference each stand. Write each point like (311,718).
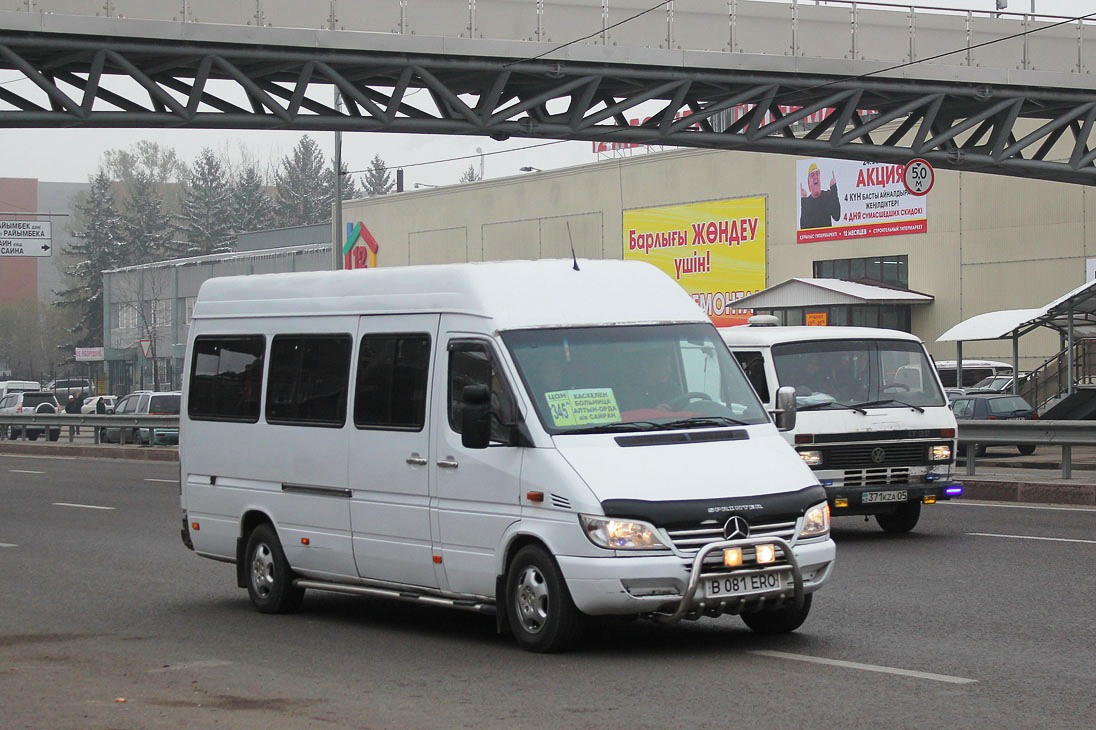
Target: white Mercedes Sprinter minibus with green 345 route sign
(542,441)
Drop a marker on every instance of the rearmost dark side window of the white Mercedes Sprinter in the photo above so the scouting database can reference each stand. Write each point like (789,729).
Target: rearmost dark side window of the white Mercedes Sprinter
(226,379)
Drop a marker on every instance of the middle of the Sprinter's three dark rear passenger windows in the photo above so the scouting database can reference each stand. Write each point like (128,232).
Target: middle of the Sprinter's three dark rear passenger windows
(309,380)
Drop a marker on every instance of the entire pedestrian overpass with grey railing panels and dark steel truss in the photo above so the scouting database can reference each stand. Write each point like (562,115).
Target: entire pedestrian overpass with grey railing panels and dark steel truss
(996,93)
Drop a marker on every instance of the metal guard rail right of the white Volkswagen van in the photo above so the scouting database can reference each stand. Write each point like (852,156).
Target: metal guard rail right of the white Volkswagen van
(1066,435)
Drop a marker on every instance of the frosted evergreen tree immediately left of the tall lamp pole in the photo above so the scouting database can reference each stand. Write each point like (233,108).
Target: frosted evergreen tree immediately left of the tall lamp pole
(305,187)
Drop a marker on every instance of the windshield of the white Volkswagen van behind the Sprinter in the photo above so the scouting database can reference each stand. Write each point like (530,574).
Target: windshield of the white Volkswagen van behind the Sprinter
(862,374)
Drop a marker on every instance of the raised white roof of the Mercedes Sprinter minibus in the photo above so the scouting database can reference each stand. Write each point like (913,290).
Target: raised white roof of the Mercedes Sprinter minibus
(513,294)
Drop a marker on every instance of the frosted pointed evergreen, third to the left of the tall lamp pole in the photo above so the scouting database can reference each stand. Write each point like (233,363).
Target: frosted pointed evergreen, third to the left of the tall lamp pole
(208,214)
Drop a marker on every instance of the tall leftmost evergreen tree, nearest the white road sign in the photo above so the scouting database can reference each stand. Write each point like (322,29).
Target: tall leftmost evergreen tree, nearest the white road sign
(97,249)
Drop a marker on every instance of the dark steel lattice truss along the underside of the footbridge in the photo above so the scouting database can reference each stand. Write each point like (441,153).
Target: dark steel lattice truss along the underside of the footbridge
(90,82)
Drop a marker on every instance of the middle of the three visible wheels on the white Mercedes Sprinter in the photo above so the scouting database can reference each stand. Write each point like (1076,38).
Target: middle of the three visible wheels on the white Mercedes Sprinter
(542,614)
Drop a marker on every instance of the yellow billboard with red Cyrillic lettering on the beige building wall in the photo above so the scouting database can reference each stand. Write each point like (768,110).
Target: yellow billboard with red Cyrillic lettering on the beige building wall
(715,250)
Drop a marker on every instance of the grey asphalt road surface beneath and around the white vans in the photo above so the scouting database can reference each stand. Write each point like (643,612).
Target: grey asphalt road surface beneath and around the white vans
(983,618)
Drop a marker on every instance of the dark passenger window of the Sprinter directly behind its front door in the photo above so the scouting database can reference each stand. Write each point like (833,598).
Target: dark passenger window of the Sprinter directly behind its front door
(393,373)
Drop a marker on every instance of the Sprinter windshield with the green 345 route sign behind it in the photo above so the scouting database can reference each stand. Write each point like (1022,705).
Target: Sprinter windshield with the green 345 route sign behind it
(633,379)
